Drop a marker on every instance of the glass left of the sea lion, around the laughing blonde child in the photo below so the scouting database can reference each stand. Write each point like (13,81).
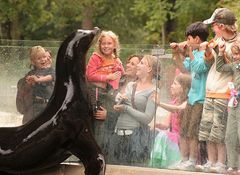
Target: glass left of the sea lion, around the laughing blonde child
(14,65)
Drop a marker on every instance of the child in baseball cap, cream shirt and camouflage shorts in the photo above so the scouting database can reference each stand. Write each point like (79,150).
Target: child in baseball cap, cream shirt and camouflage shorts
(214,117)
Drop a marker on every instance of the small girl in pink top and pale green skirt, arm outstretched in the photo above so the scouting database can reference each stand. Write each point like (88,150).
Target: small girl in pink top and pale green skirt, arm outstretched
(166,152)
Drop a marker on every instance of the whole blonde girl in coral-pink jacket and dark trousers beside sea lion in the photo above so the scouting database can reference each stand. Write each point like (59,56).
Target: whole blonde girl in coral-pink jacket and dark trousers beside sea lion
(103,73)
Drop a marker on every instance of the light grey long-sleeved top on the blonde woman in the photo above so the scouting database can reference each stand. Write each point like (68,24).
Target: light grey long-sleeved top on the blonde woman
(131,118)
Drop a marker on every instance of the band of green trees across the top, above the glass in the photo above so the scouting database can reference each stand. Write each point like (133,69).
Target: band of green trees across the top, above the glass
(135,21)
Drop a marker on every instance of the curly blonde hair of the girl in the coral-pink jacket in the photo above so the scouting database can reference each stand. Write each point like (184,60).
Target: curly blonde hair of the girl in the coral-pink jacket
(115,39)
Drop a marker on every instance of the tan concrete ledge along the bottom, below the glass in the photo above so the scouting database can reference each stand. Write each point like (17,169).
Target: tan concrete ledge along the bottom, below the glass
(70,169)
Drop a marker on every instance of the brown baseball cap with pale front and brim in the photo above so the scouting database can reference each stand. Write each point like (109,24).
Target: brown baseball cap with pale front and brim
(223,16)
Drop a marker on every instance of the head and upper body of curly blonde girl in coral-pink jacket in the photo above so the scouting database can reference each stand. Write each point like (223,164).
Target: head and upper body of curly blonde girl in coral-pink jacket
(104,66)
